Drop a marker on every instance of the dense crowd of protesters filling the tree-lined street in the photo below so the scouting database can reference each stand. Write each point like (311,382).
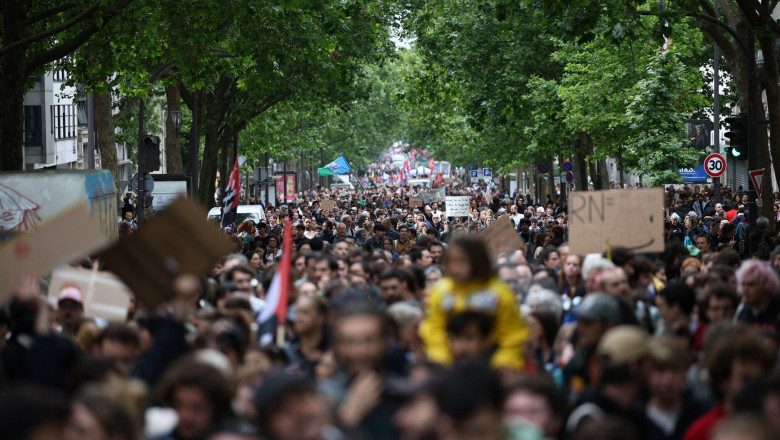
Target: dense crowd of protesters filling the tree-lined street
(404,324)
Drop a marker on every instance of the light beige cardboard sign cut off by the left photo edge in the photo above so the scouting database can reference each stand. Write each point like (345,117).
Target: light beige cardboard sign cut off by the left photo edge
(66,237)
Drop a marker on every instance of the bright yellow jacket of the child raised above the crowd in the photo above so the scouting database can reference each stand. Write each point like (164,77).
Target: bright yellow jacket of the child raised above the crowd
(495,299)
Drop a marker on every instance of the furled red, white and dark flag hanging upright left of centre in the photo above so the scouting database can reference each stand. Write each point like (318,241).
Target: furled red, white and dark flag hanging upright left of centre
(271,320)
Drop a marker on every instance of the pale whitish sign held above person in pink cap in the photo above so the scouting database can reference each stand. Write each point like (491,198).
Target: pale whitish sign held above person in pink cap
(105,296)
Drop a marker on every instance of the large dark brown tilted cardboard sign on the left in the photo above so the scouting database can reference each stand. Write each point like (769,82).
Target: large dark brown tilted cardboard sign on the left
(178,240)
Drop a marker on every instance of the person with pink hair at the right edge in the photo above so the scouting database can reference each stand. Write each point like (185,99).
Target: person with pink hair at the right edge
(758,285)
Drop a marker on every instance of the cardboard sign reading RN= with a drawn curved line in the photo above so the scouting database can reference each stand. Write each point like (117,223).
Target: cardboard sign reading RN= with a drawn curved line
(631,219)
